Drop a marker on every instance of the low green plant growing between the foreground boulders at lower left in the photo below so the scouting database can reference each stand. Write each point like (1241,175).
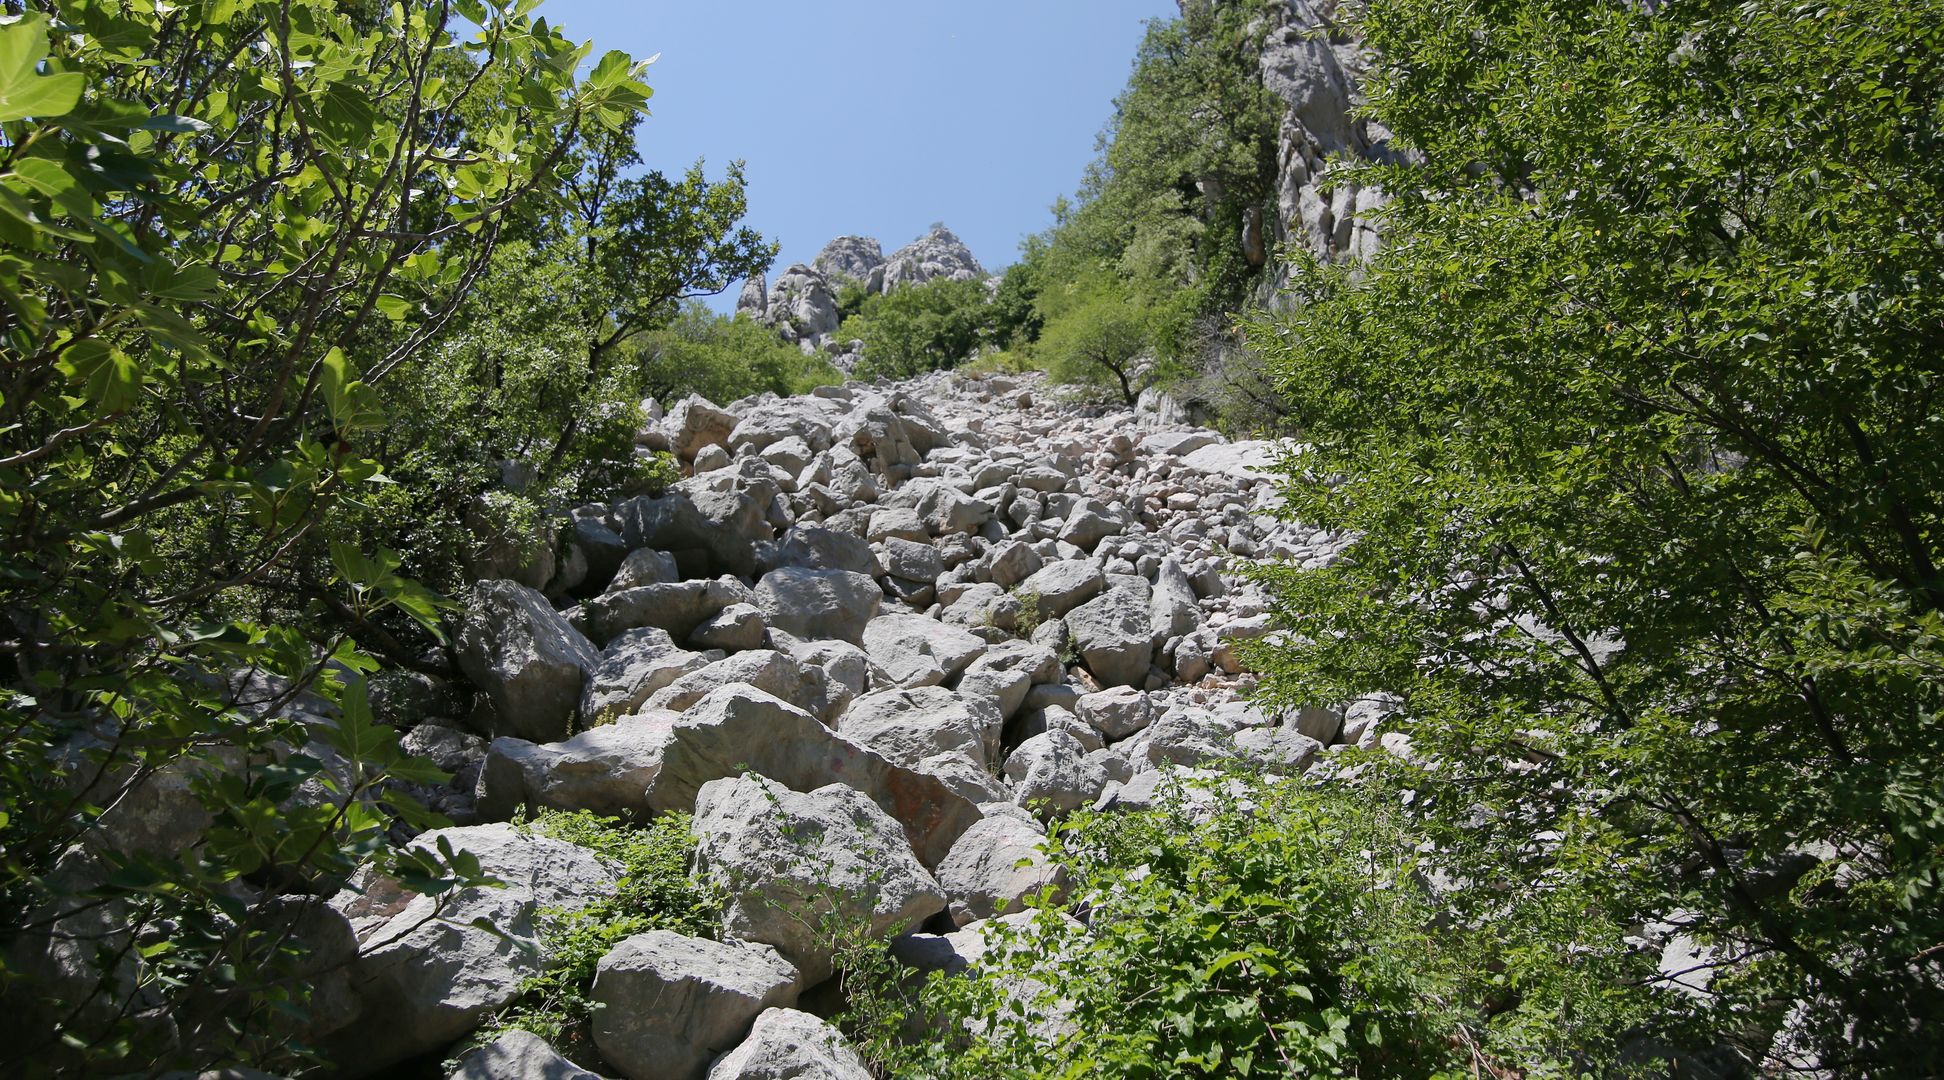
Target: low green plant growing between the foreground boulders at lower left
(656,893)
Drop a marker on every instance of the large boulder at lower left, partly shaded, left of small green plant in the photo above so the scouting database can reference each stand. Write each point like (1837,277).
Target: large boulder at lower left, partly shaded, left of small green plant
(425,972)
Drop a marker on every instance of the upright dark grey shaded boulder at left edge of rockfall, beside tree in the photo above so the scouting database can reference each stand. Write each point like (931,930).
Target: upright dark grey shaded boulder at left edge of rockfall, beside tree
(526,659)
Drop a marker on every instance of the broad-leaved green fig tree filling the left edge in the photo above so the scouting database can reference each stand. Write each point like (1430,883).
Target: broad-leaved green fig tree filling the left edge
(225,228)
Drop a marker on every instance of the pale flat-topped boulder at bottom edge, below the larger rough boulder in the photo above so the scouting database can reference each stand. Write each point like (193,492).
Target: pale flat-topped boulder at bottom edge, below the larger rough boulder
(670,1003)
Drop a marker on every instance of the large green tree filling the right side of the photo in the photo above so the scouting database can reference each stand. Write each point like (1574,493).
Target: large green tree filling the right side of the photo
(1636,430)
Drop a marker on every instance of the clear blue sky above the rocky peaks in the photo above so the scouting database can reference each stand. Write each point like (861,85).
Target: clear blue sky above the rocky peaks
(880,118)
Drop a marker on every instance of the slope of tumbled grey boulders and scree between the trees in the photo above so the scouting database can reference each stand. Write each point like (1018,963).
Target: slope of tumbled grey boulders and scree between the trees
(876,642)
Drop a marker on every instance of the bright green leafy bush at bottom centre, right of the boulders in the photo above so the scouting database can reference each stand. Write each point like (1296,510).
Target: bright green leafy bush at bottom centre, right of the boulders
(1274,929)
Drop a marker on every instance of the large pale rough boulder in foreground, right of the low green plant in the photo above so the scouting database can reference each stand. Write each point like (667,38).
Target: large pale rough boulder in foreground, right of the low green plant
(788,860)
